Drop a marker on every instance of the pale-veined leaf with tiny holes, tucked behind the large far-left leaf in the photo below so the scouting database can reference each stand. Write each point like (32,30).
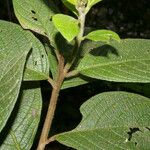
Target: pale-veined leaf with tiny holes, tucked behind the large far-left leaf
(37,66)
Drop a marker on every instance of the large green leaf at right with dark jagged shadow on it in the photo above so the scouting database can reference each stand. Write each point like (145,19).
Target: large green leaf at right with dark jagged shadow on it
(125,61)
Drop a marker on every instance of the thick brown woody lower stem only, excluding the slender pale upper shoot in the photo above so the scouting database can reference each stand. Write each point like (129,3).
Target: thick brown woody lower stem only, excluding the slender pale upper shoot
(52,105)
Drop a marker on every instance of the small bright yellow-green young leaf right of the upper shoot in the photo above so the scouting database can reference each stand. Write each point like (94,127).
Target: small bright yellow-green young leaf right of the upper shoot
(103,35)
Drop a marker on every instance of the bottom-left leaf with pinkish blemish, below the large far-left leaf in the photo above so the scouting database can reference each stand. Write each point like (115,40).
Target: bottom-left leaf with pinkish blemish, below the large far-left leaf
(24,120)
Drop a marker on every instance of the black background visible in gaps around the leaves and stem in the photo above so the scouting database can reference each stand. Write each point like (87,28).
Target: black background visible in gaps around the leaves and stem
(130,19)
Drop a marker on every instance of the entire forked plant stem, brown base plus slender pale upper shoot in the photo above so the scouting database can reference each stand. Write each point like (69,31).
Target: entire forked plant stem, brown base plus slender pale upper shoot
(62,73)
